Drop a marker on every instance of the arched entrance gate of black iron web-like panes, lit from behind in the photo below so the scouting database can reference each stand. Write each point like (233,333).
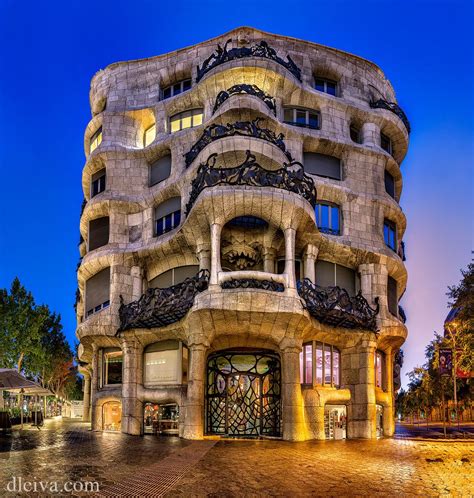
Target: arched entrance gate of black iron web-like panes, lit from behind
(243,393)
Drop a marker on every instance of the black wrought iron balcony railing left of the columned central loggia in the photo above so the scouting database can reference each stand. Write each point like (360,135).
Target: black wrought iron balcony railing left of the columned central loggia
(160,307)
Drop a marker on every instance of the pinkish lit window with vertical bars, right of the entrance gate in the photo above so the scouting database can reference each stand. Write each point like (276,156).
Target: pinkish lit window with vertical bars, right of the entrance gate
(322,360)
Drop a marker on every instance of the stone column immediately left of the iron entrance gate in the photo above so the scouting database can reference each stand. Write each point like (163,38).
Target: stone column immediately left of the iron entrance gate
(194,417)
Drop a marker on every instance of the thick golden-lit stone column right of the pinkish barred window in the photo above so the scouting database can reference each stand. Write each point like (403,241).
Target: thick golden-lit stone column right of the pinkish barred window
(361,417)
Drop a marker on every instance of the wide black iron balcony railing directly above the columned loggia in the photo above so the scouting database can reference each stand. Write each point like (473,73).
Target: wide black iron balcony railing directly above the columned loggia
(291,177)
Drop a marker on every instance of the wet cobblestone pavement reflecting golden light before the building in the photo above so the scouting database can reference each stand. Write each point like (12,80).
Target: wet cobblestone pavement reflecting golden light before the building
(149,466)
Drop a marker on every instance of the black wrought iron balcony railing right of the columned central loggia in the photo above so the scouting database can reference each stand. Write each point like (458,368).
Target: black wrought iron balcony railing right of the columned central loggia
(334,306)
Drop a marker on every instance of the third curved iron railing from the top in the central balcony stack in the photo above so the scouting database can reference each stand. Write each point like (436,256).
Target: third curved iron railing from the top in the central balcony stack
(239,128)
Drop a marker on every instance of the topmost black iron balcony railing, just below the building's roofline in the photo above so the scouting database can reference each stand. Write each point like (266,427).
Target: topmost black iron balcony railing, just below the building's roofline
(261,49)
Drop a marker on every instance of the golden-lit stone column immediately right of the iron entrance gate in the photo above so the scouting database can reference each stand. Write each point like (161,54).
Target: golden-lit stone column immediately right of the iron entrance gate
(294,428)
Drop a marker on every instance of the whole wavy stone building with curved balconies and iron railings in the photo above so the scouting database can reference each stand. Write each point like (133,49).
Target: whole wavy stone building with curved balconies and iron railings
(241,256)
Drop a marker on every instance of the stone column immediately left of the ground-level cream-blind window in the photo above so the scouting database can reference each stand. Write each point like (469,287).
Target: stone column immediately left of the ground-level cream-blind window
(132,408)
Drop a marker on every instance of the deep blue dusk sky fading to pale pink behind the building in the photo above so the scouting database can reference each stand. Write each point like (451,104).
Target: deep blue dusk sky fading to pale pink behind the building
(49,52)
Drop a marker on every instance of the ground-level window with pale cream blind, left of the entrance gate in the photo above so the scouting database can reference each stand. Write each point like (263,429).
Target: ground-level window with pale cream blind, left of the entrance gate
(165,362)
